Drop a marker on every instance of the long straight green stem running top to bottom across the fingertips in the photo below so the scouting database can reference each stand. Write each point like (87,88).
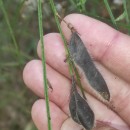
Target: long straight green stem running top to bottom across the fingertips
(44,65)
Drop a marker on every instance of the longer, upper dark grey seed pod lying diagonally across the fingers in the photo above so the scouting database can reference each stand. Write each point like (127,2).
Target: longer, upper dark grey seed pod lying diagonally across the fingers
(82,59)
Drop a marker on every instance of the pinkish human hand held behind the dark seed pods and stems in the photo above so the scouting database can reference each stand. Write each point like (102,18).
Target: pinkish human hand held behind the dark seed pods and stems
(111,52)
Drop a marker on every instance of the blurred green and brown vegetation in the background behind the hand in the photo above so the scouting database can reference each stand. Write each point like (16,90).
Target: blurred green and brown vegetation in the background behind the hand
(19,35)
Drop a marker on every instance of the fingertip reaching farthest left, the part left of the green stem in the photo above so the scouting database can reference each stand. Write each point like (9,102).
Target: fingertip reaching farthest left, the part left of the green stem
(32,74)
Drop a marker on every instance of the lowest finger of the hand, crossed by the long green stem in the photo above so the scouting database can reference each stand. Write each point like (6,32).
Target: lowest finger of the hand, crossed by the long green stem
(39,115)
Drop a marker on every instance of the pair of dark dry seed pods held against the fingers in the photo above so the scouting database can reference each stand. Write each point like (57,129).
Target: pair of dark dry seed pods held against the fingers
(79,108)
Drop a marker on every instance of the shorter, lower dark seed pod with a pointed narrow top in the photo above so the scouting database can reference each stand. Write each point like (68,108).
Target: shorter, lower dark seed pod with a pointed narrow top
(80,110)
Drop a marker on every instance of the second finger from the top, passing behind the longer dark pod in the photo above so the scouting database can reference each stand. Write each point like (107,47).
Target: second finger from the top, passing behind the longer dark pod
(119,89)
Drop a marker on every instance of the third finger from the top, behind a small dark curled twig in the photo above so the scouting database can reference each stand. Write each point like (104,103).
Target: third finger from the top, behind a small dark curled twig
(34,80)
